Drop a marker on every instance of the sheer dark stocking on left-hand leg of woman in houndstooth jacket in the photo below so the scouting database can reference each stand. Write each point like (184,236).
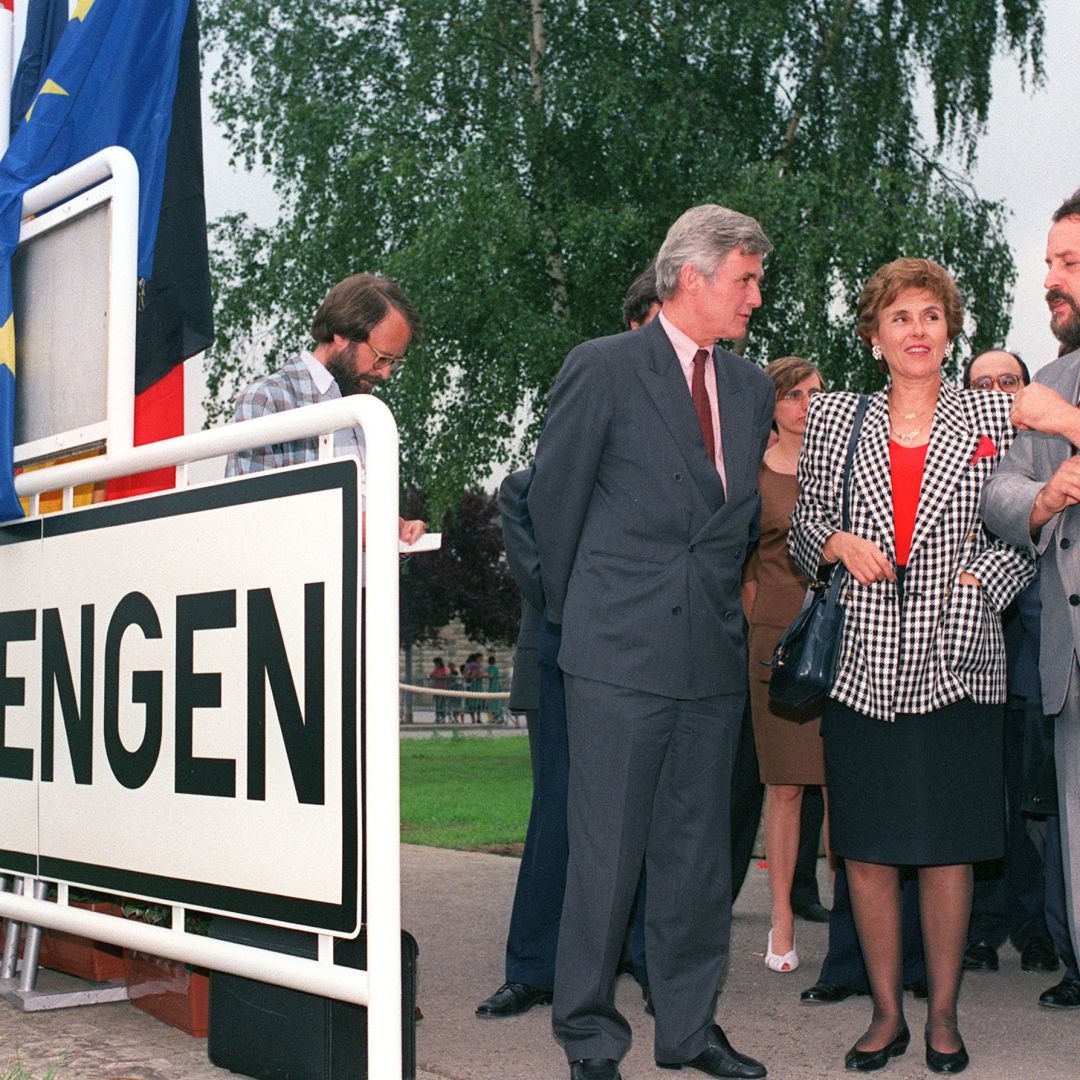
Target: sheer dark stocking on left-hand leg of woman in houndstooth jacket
(875,901)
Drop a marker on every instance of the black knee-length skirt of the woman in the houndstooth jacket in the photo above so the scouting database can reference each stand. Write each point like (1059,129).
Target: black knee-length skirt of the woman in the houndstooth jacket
(927,790)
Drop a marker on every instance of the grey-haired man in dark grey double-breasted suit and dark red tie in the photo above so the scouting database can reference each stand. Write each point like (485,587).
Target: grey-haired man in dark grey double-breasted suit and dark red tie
(642,502)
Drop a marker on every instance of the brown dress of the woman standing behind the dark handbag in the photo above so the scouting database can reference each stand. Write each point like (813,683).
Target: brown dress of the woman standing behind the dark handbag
(789,742)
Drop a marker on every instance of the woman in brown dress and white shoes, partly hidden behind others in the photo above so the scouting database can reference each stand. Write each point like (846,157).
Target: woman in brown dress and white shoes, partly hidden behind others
(789,745)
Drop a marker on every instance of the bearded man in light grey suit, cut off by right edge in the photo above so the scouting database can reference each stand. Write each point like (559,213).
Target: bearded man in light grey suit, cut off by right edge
(1032,503)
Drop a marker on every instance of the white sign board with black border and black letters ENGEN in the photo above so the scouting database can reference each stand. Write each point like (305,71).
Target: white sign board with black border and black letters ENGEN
(179,690)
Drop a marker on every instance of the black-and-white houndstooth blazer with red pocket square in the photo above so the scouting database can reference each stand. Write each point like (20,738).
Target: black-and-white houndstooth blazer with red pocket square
(946,643)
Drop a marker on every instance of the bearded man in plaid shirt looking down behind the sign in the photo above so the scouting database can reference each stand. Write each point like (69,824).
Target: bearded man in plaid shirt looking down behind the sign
(362,331)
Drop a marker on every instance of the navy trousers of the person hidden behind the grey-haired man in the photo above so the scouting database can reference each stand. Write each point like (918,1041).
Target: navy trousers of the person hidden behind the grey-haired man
(533,938)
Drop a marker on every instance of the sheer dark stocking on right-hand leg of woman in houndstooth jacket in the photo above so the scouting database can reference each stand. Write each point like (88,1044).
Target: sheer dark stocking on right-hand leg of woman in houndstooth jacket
(946,906)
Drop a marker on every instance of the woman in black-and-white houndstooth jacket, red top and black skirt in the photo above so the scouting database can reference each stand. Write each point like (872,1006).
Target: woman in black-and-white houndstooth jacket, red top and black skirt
(913,727)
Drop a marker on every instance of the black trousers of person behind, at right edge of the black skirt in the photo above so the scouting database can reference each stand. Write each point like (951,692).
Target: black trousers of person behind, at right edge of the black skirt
(1009,898)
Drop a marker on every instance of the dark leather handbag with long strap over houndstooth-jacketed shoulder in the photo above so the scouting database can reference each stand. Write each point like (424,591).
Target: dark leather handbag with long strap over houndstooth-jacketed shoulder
(805,659)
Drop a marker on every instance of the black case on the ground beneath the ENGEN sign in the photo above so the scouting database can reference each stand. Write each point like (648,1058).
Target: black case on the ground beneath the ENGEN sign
(273,1033)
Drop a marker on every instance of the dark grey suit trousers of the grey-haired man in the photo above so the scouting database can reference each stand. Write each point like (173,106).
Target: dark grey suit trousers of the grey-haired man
(651,778)
